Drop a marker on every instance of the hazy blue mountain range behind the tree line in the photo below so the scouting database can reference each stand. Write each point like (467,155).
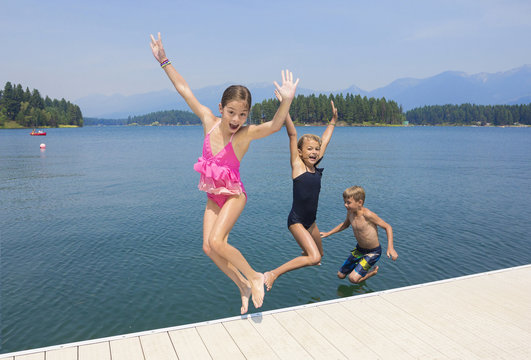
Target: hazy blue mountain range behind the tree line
(449,87)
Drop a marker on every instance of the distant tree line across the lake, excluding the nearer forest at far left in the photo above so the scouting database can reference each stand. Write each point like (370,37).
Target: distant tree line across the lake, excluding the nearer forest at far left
(353,110)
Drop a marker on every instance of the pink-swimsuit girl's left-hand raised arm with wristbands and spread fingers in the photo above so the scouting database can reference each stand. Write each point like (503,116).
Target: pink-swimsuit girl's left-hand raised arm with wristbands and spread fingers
(204,113)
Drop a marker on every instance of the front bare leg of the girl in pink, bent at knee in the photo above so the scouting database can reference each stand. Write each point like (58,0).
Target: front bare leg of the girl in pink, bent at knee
(217,240)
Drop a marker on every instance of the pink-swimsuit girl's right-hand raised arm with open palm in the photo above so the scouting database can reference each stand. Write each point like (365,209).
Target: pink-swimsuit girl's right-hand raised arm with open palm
(287,92)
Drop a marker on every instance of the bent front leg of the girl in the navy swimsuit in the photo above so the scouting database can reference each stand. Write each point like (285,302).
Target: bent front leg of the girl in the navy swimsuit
(309,246)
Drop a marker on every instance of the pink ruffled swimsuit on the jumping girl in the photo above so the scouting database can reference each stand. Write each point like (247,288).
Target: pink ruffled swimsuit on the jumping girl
(220,173)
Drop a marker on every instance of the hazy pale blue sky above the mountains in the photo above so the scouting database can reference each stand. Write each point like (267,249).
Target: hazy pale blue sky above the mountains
(73,48)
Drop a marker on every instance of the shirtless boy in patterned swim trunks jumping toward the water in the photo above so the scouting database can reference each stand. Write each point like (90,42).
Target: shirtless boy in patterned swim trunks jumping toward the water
(368,250)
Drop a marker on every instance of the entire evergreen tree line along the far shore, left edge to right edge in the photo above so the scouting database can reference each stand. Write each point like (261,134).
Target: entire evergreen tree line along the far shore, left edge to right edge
(21,108)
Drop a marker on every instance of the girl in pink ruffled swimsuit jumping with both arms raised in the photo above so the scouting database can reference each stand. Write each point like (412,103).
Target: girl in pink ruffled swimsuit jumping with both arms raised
(226,142)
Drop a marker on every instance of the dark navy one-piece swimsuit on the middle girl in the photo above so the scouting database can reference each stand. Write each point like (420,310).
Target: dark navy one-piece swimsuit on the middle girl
(306,188)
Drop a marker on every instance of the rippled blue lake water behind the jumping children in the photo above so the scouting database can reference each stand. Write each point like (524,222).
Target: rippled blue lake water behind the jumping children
(100,234)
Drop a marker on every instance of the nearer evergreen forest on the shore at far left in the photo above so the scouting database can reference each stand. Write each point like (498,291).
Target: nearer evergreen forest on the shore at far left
(27,109)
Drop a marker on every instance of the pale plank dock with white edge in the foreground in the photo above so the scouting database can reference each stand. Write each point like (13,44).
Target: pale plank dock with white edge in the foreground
(483,316)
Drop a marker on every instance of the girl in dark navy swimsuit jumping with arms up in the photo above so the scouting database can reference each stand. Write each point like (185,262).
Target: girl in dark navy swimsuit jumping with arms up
(305,153)
